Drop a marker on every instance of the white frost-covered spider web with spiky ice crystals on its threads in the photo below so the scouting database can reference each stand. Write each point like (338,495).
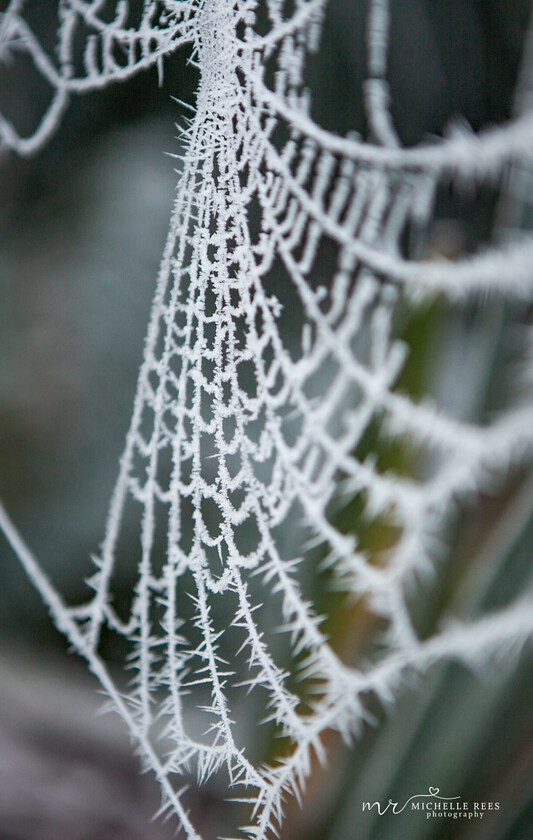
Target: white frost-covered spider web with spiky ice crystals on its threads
(271,352)
